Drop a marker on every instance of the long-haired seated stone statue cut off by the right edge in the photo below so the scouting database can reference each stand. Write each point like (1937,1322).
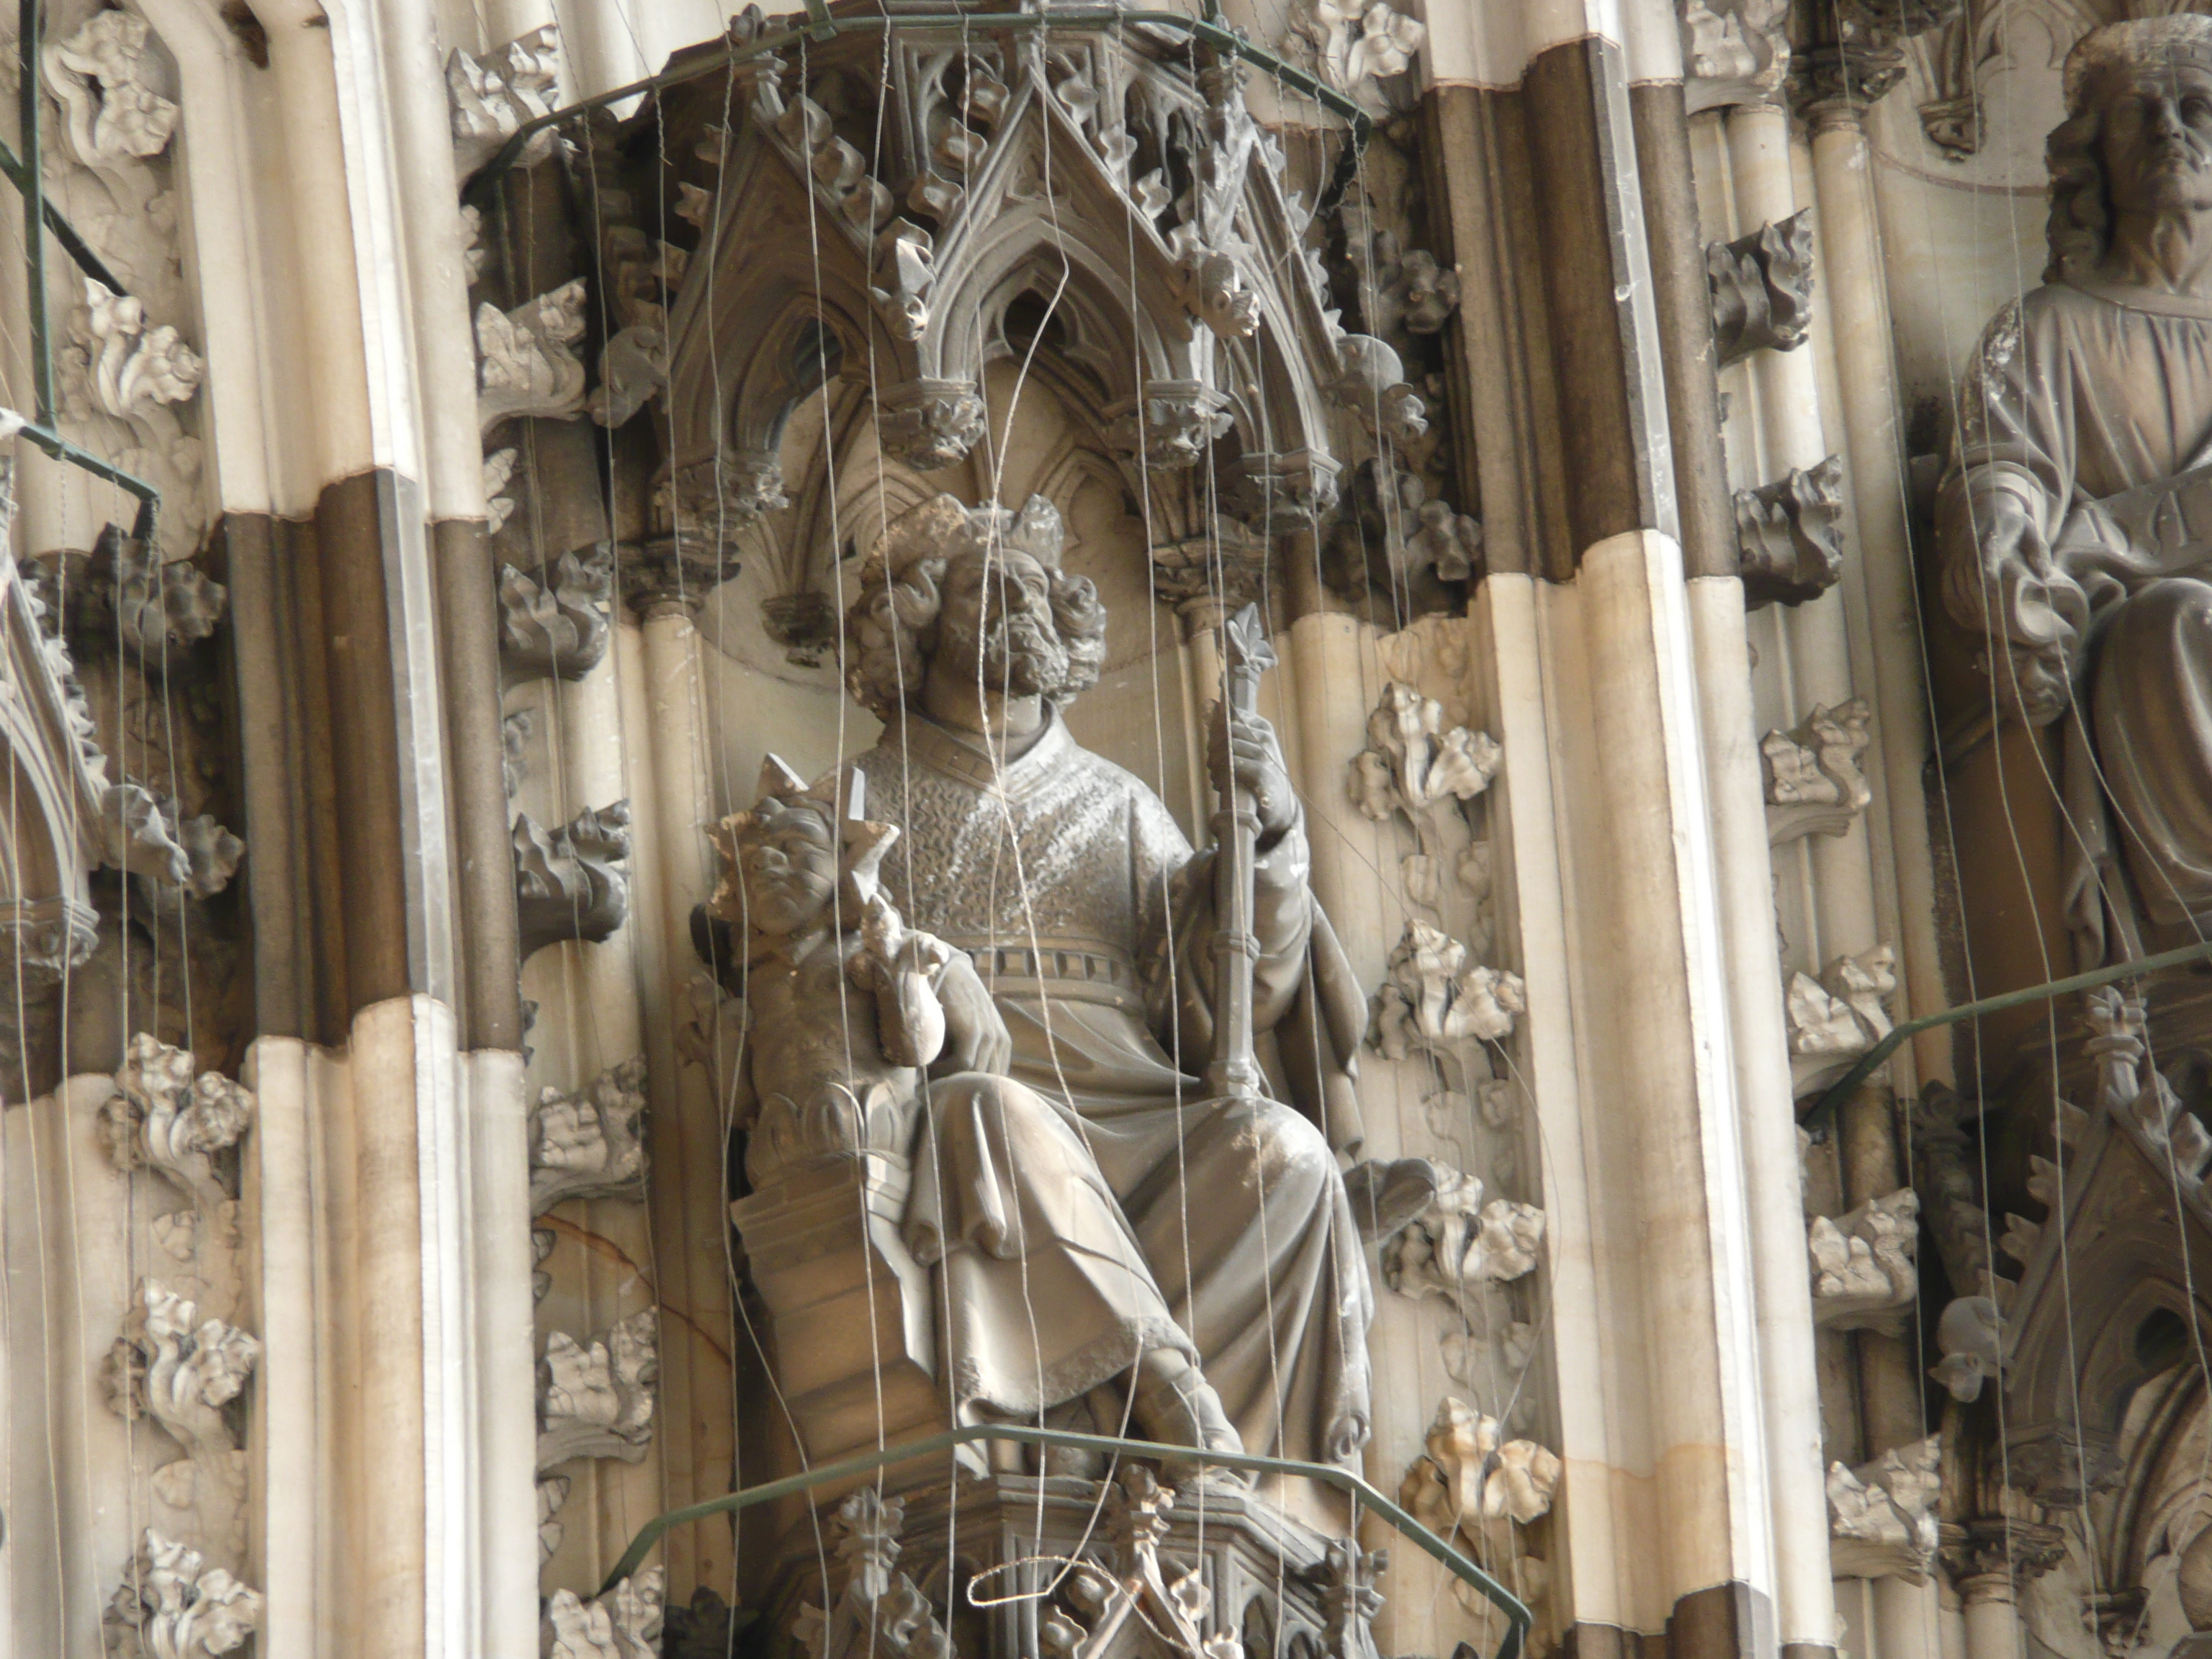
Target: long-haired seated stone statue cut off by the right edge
(2076,521)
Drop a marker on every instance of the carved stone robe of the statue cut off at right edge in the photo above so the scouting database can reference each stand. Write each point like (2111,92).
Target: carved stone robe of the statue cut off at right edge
(2091,404)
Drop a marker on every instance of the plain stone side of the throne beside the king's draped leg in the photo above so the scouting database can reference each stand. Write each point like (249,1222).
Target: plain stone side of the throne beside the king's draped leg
(851,1322)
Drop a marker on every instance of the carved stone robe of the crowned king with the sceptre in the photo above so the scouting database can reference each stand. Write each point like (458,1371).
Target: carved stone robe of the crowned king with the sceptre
(1092,924)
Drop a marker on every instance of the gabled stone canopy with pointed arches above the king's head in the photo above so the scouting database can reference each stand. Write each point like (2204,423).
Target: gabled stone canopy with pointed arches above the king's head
(1076,205)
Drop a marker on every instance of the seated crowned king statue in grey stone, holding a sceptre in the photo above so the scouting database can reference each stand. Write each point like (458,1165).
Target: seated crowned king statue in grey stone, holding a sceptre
(990,959)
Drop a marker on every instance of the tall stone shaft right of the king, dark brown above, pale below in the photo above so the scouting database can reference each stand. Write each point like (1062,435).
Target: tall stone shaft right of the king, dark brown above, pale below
(1600,687)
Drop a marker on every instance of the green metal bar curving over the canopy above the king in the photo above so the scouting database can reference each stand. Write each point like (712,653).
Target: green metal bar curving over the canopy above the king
(826,28)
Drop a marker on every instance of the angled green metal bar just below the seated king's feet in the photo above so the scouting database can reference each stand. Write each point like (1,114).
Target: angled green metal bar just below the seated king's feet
(1344,1481)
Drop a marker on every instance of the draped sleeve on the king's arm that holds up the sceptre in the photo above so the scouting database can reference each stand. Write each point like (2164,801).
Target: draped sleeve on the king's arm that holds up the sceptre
(1302,983)
